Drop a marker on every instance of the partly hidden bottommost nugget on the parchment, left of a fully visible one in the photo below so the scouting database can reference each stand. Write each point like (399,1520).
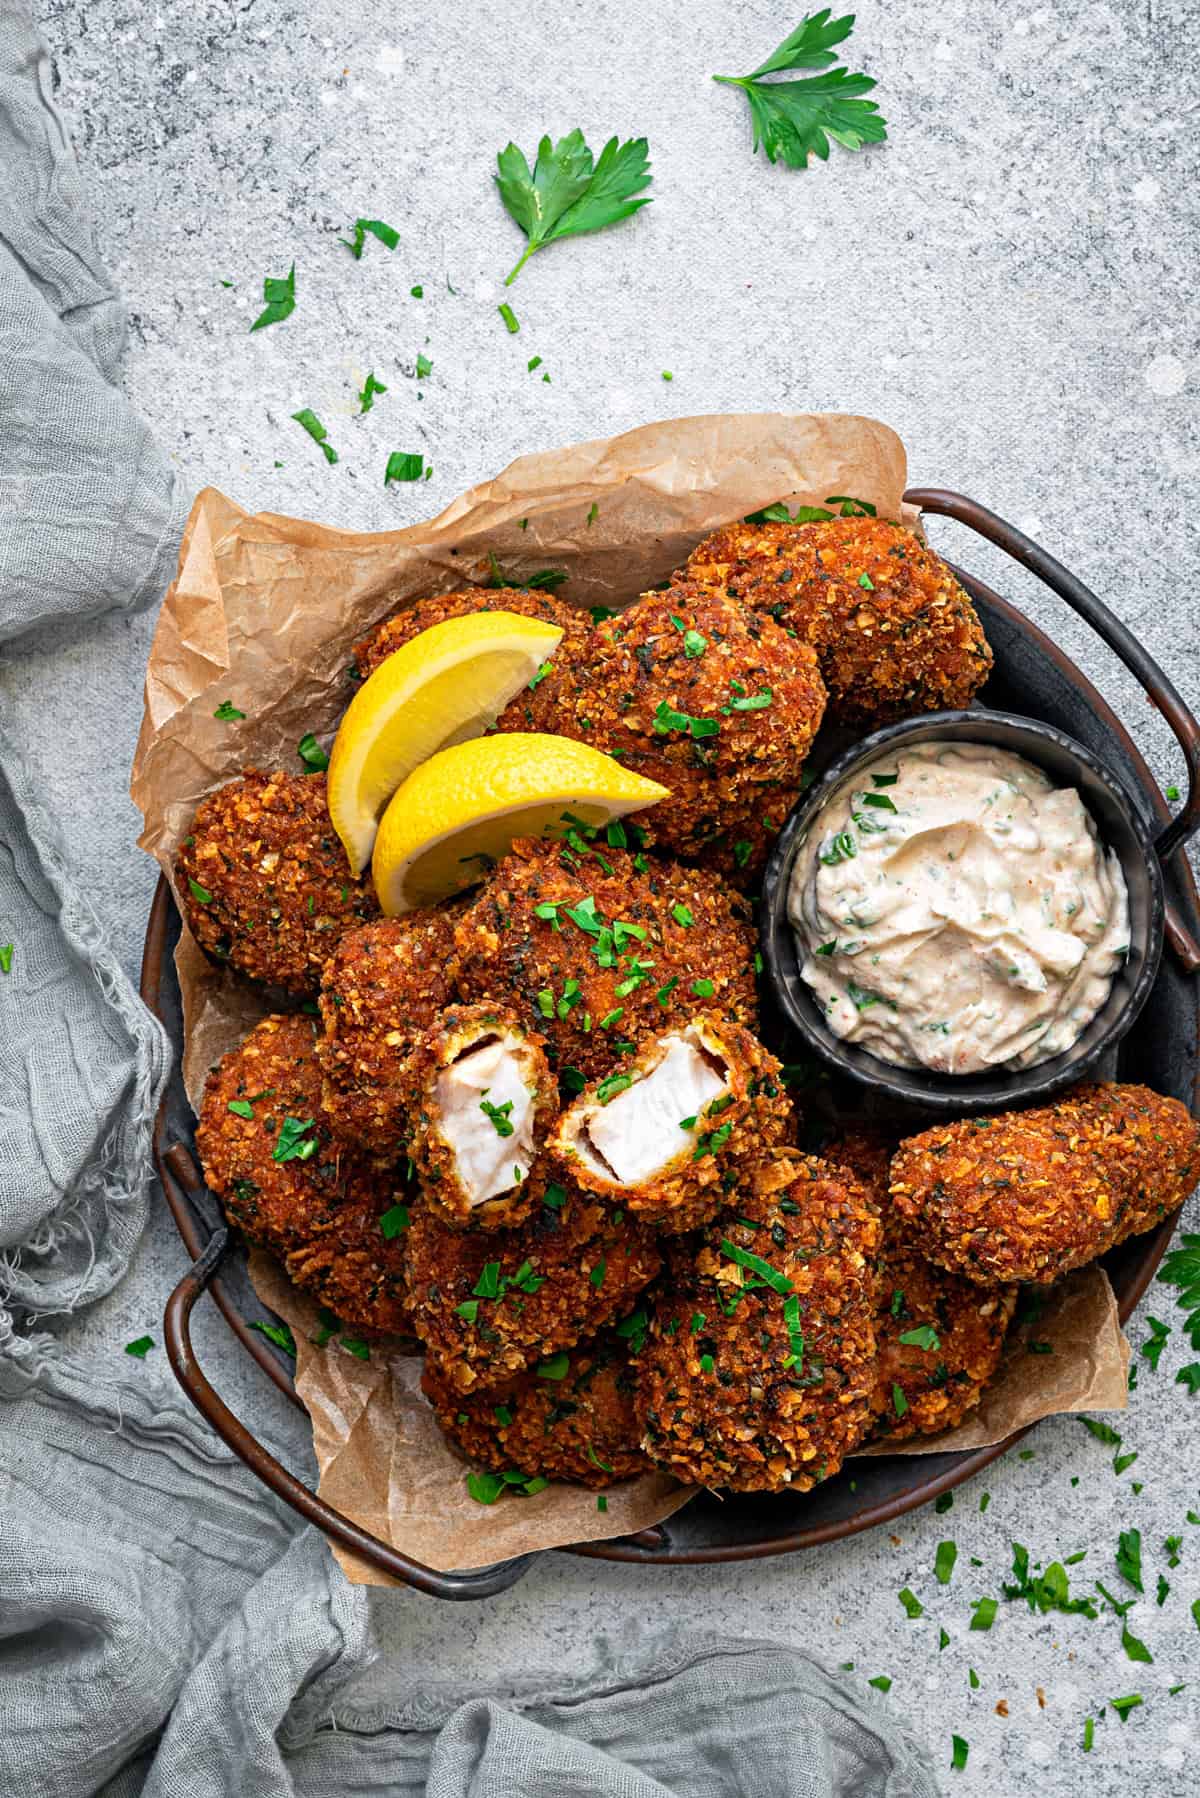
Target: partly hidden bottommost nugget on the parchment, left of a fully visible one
(569,1420)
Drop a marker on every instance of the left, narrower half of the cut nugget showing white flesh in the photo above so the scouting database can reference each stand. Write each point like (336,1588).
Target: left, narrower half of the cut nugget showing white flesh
(479,1098)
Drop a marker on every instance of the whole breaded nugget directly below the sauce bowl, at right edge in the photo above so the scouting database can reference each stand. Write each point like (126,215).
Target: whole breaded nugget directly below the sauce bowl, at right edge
(1034,1195)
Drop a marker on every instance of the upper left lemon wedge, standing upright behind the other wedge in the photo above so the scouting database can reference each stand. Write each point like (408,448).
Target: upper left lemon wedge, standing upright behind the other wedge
(440,688)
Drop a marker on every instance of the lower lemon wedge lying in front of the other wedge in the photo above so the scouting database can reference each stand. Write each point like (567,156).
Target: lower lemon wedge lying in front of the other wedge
(458,815)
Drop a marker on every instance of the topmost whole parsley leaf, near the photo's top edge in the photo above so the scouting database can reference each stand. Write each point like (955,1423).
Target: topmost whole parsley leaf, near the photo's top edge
(796,120)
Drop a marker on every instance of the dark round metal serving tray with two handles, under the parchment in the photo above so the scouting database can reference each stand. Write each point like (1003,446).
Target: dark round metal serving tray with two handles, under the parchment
(1032,679)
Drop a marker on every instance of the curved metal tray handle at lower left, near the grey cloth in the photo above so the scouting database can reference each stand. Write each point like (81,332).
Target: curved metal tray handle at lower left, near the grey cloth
(177,1335)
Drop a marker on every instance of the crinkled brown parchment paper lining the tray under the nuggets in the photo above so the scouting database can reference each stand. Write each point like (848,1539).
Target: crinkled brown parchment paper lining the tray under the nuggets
(265,612)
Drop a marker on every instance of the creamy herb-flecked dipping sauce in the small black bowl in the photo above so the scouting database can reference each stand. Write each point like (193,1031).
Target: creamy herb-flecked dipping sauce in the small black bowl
(956,911)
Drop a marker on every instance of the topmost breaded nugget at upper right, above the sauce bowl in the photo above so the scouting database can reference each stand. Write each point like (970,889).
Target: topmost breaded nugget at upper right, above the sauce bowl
(893,628)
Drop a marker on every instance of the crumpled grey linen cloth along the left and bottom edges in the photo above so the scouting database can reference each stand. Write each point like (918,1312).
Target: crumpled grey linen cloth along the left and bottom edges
(166,1628)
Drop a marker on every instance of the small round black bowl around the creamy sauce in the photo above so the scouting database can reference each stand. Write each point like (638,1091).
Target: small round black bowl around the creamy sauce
(1122,830)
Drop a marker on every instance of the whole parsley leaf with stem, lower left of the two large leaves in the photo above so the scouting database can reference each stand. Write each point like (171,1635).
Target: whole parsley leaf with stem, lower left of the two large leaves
(569,191)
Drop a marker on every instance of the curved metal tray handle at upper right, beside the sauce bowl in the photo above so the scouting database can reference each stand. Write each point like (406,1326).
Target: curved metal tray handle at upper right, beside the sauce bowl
(1093,610)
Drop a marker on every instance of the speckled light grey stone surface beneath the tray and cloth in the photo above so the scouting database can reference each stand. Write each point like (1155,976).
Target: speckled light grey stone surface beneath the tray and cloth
(1010,283)
